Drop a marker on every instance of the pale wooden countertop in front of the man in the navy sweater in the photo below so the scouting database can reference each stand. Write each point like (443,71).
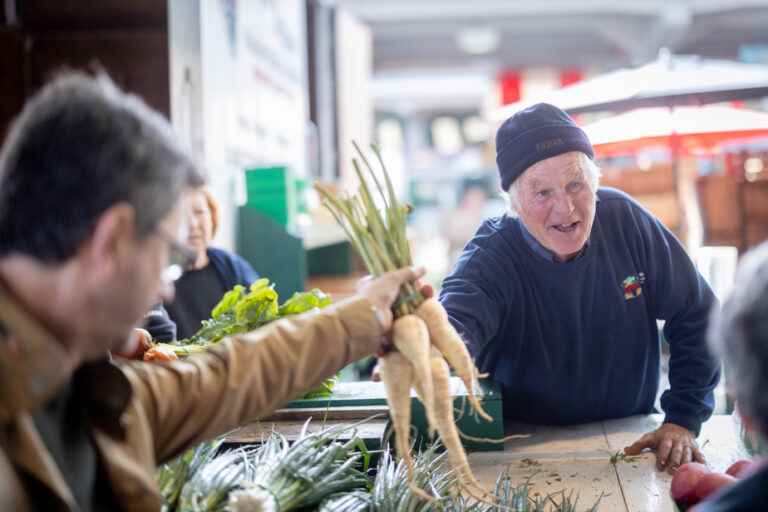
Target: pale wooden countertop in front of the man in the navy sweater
(578,458)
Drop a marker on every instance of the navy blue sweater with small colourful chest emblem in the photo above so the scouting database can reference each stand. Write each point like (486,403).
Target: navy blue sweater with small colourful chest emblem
(578,341)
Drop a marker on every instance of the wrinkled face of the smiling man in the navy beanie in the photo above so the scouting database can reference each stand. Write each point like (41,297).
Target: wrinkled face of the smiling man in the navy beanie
(557,204)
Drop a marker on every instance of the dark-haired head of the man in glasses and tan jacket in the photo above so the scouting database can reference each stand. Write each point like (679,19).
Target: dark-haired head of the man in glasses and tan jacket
(90,181)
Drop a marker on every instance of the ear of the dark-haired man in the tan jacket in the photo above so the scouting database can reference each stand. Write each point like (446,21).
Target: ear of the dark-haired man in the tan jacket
(112,239)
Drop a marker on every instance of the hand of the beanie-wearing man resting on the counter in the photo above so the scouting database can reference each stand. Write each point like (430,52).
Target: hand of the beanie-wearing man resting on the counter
(674,445)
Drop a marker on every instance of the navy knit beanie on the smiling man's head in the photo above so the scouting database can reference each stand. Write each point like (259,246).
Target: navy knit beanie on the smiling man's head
(534,134)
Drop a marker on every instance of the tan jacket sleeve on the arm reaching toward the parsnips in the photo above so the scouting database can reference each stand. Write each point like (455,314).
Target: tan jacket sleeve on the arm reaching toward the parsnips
(248,376)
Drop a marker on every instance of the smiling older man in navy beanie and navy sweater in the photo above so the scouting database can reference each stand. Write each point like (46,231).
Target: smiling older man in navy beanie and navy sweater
(559,299)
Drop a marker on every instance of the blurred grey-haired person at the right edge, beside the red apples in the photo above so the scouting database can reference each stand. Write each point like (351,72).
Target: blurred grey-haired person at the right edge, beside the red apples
(740,336)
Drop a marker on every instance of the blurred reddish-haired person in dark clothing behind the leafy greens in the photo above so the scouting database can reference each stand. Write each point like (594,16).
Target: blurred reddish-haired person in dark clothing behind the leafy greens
(213,272)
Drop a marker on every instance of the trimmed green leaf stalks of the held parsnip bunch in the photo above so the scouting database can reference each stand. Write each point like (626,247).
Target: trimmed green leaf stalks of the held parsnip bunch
(378,236)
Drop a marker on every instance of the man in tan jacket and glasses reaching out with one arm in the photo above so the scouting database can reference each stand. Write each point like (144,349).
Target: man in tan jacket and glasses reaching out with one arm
(90,216)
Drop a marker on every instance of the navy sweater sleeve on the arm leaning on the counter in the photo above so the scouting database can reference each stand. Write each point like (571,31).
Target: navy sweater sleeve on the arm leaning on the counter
(682,298)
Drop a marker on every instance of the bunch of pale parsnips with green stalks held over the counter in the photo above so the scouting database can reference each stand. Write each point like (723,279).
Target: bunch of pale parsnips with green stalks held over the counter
(425,341)
